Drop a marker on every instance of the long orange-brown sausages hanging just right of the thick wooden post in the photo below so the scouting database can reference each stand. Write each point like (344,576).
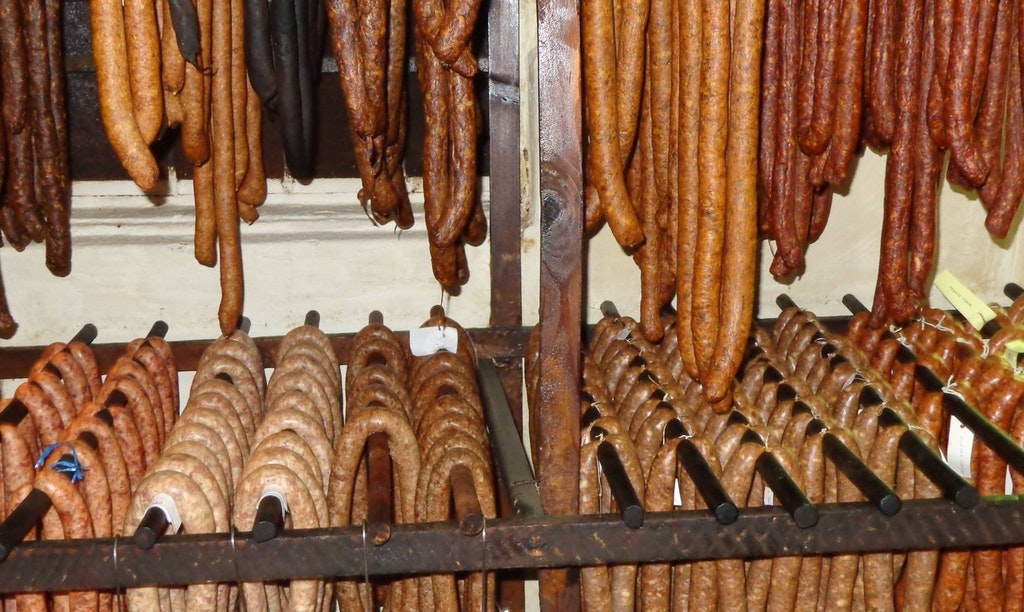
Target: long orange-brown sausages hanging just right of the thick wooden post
(671,94)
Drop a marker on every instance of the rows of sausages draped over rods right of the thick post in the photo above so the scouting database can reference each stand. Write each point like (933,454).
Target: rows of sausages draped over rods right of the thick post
(799,383)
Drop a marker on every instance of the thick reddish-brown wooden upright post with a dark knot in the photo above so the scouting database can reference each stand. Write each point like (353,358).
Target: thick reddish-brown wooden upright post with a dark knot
(556,425)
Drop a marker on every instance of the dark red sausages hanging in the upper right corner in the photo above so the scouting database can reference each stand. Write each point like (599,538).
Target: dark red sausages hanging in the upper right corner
(934,85)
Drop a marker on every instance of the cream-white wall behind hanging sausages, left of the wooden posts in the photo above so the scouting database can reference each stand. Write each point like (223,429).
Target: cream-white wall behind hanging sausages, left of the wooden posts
(313,248)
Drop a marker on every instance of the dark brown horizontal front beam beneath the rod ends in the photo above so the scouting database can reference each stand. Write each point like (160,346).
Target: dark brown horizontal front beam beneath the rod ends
(543,543)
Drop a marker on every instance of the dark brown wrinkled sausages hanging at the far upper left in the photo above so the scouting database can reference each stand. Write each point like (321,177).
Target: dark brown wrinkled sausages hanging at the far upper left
(35,189)
